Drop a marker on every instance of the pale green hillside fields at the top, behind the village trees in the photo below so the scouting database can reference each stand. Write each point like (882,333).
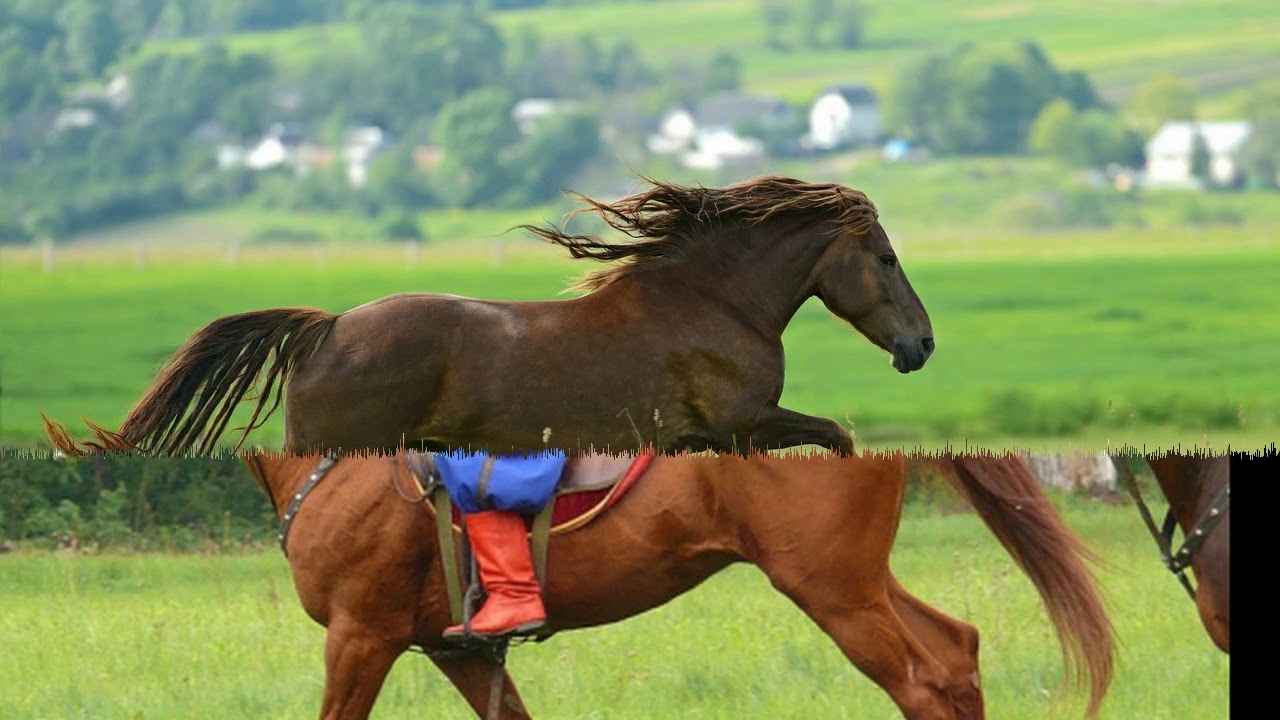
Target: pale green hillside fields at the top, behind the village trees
(1218,47)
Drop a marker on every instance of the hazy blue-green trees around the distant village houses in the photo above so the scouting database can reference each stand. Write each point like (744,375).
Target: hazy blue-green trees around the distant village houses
(440,74)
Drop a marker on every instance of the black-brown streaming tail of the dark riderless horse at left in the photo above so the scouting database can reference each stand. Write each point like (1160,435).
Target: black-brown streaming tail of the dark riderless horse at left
(193,399)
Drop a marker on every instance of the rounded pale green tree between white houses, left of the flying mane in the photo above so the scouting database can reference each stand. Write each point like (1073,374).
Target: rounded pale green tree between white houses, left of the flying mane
(476,131)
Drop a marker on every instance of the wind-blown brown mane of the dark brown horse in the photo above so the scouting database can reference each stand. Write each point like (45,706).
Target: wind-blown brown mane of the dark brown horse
(671,218)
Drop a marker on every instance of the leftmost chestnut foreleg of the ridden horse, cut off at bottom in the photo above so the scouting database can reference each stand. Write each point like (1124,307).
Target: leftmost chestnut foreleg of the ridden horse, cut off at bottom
(358,659)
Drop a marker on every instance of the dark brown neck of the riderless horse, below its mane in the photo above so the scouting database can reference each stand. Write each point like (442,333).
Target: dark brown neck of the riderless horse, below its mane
(765,268)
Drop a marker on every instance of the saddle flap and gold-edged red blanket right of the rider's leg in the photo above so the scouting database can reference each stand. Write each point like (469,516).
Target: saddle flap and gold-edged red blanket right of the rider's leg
(589,486)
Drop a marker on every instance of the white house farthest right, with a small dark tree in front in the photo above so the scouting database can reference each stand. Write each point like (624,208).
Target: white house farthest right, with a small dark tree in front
(1169,153)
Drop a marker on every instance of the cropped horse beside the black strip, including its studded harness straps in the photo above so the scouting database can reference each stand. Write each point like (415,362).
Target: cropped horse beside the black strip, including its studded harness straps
(1197,490)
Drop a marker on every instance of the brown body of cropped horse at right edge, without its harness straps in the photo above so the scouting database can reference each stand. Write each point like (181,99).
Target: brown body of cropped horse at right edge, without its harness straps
(1192,484)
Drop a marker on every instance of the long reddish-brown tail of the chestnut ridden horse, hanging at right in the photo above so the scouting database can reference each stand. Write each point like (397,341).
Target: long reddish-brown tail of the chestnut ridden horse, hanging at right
(1011,502)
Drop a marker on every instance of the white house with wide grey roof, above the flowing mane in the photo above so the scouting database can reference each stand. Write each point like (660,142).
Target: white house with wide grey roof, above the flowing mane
(714,134)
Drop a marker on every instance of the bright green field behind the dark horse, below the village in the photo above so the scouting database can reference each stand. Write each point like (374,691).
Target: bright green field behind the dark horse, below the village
(1153,338)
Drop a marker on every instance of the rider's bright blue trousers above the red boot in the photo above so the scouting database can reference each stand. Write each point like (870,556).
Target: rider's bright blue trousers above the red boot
(516,484)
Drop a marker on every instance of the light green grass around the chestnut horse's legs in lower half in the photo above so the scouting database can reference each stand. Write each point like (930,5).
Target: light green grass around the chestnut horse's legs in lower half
(154,637)
